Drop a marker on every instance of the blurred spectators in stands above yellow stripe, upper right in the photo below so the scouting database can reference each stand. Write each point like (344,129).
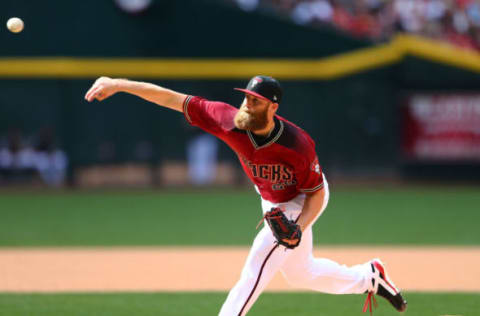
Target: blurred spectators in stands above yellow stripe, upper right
(455,21)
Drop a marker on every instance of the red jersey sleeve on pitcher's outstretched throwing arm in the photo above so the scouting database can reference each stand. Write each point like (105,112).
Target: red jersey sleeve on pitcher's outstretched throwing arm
(211,116)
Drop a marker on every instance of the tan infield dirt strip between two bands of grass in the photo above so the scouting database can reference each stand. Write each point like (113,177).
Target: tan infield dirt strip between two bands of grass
(216,269)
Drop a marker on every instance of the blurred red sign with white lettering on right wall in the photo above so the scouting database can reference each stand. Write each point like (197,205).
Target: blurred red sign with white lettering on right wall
(442,127)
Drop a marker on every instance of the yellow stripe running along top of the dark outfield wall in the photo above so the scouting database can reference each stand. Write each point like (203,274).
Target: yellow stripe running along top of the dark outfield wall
(324,68)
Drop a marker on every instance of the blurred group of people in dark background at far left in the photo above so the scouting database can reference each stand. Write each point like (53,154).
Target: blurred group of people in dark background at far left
(24,161)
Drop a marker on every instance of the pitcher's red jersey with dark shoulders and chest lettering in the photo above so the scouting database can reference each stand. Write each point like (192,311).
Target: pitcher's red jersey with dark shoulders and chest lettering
(282,165)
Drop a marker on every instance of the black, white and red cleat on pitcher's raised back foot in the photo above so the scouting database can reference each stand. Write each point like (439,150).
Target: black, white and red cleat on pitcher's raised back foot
(383,286)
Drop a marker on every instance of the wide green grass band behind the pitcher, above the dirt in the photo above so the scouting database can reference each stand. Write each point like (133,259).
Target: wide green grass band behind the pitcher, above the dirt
(419,215)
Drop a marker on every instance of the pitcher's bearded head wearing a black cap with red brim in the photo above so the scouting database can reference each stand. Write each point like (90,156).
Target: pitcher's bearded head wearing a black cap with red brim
(262,96)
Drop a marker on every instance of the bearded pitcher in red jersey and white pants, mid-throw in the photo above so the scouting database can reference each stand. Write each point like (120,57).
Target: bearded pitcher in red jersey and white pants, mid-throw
(280,160)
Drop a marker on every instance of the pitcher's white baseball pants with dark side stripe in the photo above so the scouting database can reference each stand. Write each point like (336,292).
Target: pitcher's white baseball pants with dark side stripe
(298,266)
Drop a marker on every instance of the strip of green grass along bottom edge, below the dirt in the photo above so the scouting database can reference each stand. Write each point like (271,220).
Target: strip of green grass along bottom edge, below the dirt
(195,304)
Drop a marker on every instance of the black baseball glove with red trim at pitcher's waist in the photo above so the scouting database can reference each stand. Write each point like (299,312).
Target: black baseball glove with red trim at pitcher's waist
(285,231)
